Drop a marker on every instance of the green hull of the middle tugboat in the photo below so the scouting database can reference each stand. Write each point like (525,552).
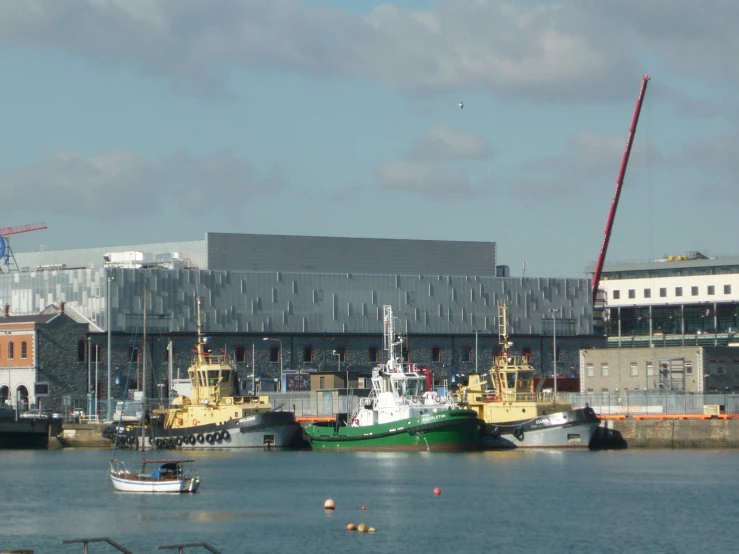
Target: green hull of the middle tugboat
(448,430)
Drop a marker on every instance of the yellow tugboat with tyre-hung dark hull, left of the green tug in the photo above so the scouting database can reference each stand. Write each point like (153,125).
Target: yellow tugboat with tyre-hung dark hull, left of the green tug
(213,416)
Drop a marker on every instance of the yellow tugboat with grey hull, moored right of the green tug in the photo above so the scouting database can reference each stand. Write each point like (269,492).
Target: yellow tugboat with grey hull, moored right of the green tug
(515,414)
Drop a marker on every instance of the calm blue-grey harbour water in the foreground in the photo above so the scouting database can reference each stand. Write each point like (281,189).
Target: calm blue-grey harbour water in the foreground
(272,502)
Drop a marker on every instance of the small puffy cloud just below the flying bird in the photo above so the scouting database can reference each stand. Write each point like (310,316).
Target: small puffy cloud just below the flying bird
(444,142)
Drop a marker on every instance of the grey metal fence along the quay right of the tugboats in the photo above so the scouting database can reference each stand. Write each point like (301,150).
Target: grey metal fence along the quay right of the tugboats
(653,402)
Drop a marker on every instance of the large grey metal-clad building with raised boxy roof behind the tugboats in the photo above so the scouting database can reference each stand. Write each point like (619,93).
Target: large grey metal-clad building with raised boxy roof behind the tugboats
(316,300)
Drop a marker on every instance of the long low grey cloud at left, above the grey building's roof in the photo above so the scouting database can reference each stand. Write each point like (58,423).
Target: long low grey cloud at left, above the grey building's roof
(119,184)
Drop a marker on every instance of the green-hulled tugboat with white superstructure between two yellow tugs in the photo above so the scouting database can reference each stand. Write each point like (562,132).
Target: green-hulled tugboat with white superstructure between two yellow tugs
(402,412)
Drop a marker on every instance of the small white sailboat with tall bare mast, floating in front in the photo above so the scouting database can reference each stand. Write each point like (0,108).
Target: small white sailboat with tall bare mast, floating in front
(154,475)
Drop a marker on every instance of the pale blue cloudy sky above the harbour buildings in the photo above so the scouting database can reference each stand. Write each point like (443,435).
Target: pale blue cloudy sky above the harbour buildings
(134,121)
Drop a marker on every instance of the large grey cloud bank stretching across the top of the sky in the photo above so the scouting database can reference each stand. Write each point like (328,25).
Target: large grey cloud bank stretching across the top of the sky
(541,50)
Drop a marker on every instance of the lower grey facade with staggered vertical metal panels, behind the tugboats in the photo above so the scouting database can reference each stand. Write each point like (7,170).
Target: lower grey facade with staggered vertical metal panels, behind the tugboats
(280,302)
